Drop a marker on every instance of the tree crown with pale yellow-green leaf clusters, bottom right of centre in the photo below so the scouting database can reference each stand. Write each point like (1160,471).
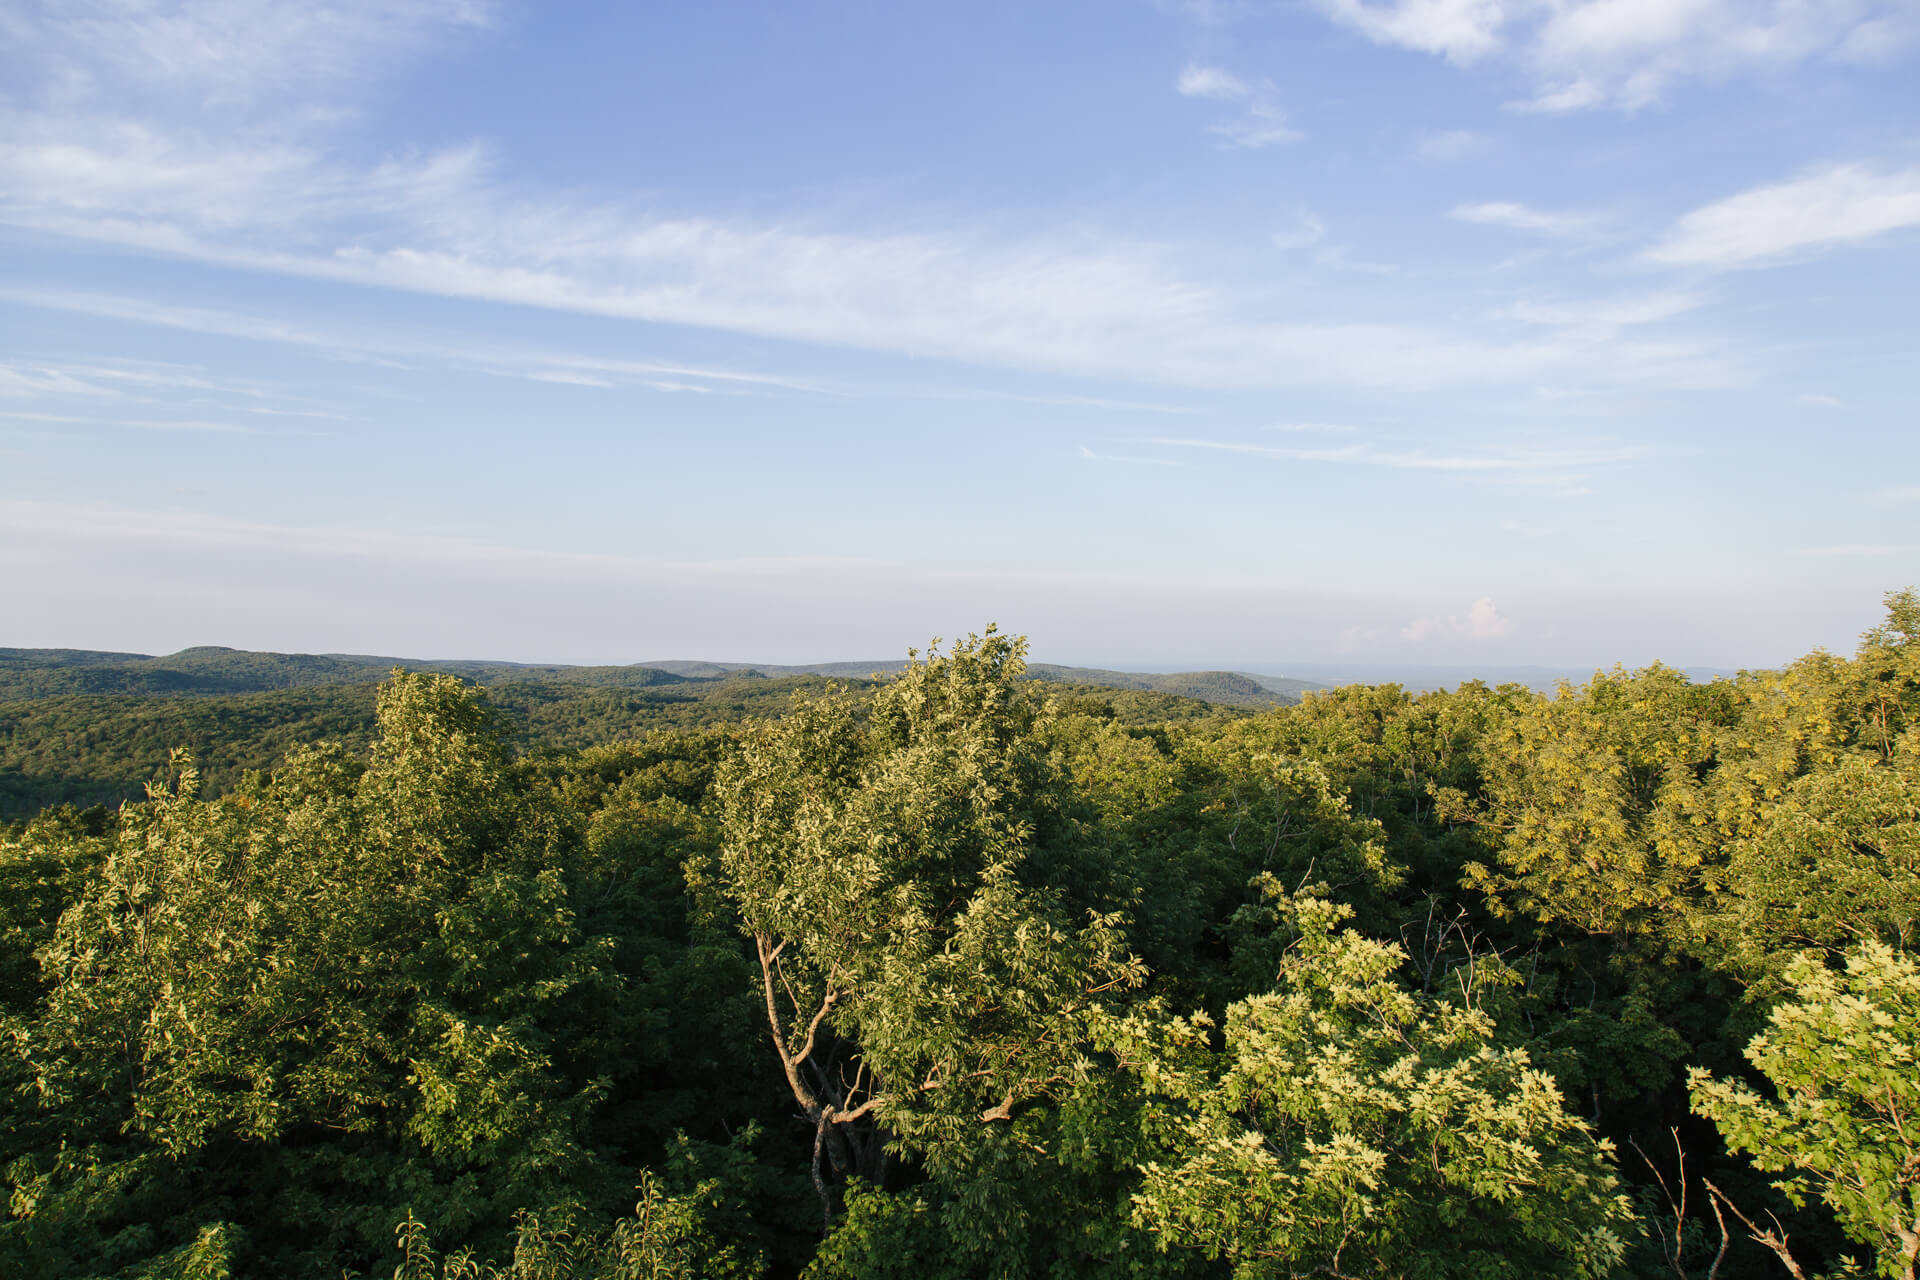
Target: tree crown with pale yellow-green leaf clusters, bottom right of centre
(1353,1127)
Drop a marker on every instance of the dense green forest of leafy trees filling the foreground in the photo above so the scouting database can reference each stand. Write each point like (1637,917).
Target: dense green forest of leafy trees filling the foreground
(965,974)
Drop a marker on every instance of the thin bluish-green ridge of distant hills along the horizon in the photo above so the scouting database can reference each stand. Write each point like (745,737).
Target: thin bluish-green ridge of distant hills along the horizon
(218,671)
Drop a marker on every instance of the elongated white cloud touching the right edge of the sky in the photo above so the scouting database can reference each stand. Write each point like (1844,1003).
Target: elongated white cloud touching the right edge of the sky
(1842,204)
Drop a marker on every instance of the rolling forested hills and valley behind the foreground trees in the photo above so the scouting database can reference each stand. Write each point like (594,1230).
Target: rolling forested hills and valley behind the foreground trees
(93,728)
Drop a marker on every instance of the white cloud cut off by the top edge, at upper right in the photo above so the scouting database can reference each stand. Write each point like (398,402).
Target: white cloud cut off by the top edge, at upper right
(1631,53)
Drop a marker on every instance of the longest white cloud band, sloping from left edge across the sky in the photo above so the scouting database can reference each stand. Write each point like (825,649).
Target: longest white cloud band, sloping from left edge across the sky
(1063,304)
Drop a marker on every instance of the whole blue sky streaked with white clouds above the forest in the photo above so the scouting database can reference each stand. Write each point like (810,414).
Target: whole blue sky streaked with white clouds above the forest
(1170,335)
